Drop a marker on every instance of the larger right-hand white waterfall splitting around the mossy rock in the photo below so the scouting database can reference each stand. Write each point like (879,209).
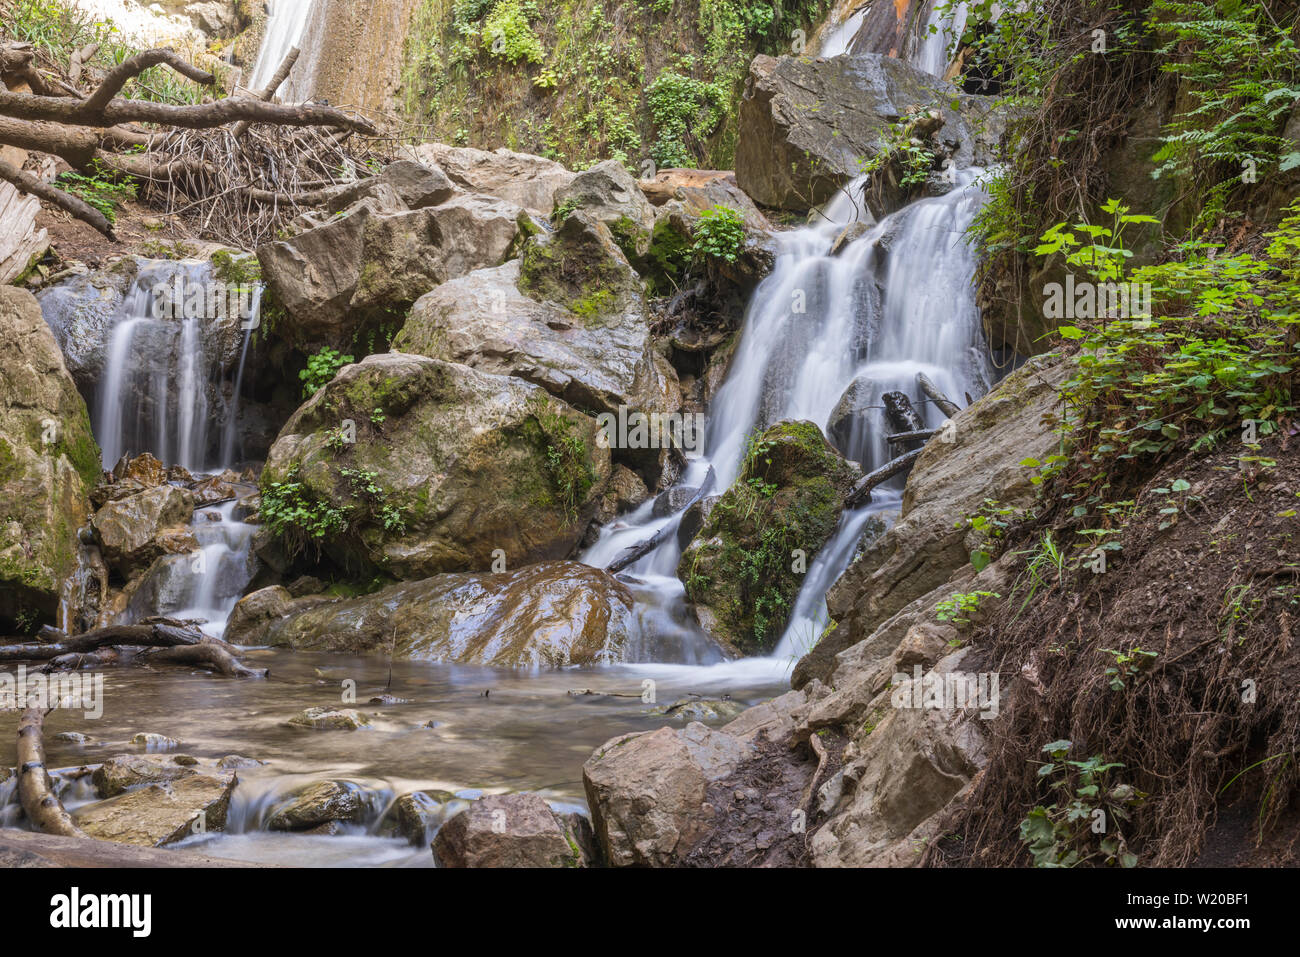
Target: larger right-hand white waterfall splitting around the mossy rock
(895,302)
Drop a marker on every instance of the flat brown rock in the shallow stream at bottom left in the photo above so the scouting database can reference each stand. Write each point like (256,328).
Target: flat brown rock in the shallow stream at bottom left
(161,815)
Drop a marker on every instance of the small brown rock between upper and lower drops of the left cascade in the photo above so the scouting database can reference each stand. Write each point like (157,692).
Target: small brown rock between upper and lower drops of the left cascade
(135,531)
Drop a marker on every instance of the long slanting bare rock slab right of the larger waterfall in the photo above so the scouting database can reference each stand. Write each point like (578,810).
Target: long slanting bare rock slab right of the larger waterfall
(948,484)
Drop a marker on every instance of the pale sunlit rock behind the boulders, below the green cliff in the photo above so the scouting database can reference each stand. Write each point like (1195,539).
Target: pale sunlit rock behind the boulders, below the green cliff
(521,179)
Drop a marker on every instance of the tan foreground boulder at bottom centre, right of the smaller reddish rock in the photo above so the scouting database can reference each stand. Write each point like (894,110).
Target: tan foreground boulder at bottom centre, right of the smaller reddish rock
(647,791)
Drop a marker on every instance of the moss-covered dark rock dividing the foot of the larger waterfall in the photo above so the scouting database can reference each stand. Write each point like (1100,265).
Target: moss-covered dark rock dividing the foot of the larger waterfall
(740,569)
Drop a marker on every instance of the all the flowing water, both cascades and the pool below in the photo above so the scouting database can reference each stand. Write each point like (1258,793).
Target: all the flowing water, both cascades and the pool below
(891,304)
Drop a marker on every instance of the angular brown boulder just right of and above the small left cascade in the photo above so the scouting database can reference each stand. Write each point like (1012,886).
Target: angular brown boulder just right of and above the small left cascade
(369,263)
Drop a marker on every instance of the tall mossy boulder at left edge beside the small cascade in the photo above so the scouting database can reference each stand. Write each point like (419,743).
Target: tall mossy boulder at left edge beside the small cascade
(49,462)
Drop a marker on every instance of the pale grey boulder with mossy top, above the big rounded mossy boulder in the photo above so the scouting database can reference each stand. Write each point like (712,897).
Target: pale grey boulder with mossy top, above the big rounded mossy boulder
(593,350)
